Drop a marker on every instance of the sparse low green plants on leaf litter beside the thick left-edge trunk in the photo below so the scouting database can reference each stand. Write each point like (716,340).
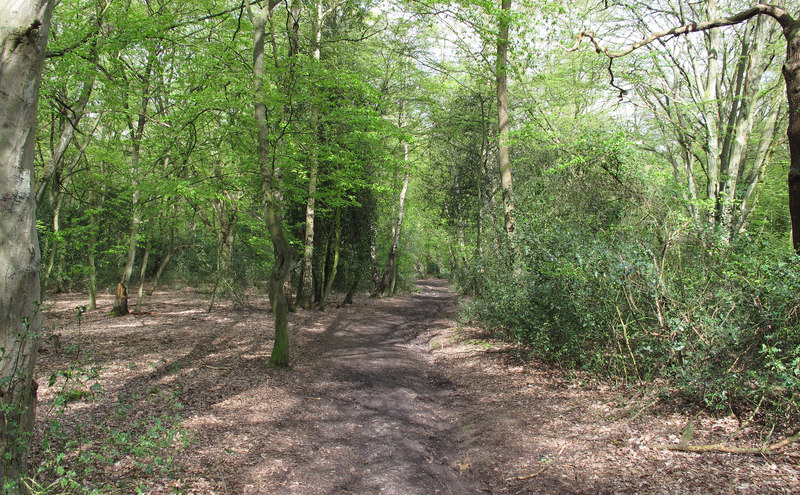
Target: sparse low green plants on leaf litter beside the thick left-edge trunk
(132,441)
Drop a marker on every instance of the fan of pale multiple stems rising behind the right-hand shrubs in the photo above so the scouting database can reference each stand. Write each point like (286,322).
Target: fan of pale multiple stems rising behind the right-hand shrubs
(725,104)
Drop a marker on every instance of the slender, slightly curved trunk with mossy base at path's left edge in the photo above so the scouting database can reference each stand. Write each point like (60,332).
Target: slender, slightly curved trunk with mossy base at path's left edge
(284,257)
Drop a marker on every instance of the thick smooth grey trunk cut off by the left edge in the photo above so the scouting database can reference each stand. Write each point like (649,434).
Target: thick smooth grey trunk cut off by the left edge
(23,40)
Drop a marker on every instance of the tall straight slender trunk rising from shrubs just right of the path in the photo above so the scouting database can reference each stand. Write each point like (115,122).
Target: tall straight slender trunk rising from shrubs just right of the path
(504,158)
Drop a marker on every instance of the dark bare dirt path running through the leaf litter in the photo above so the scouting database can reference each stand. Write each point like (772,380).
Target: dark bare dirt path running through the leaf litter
(377,416)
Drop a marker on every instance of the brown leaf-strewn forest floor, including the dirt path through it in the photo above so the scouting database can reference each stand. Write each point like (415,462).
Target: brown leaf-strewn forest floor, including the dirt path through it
(384,396)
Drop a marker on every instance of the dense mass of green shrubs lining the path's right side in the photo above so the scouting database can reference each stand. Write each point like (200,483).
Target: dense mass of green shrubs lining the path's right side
(628,289)
